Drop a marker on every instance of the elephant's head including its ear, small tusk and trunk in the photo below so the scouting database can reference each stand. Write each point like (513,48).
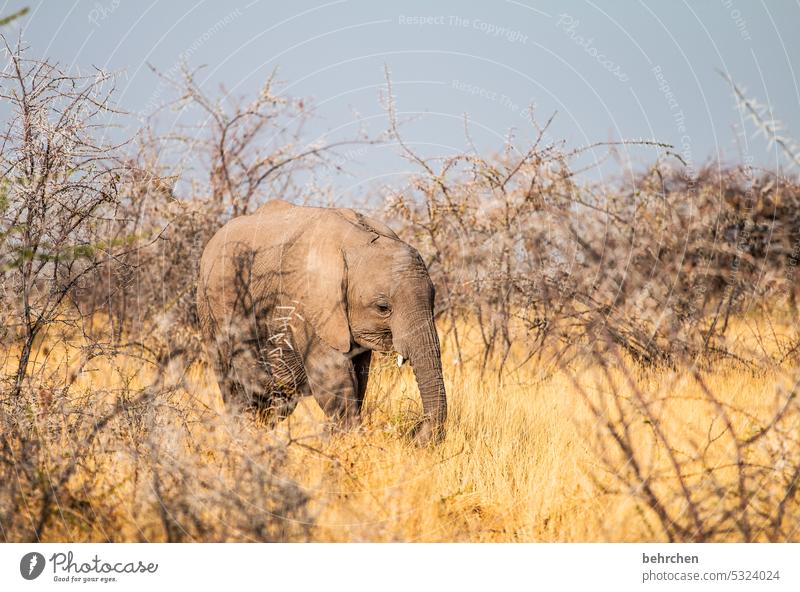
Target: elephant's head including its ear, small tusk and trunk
(373,290)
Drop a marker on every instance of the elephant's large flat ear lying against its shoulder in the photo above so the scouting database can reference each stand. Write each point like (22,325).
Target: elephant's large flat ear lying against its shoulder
(325,303)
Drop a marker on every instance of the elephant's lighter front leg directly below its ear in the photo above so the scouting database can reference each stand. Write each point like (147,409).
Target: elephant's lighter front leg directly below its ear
(333,382)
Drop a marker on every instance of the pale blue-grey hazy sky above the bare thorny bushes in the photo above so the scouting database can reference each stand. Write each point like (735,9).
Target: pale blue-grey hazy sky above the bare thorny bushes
(611,69)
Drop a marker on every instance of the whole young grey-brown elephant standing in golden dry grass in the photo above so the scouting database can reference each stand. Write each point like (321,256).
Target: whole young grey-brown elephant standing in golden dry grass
(293,301)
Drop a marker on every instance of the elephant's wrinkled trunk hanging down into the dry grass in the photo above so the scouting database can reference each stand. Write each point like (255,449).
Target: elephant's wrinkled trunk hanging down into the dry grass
(420,344)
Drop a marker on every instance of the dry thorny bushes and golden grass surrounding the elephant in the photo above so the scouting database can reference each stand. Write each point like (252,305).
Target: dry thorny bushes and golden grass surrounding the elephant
(621,358)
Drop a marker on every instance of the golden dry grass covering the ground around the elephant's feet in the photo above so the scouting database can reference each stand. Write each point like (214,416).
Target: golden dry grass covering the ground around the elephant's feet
(523,461)
